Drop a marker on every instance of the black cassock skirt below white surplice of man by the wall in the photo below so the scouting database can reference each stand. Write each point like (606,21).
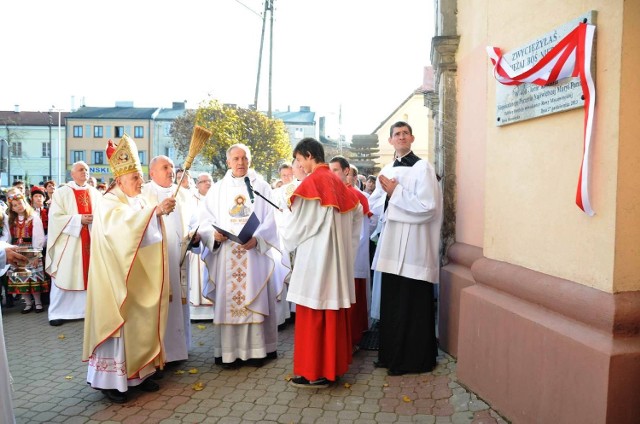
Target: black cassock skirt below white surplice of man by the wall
(407,324)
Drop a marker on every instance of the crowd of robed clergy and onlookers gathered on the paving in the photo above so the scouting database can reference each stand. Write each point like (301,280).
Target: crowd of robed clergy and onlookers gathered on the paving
(139,260)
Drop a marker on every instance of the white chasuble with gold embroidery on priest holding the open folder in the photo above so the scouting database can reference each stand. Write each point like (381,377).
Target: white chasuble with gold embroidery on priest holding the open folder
(238,278)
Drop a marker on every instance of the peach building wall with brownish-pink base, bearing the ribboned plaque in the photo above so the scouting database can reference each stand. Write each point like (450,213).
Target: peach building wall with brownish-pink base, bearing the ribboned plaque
(539,301)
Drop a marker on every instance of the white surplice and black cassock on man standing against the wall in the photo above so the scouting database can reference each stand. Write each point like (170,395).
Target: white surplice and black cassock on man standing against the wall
(407,255)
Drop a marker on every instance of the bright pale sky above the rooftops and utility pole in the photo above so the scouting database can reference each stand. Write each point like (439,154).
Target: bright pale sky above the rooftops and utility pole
(364,55)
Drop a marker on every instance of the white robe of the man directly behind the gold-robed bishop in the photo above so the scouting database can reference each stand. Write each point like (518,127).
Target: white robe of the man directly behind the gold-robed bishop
(176,225)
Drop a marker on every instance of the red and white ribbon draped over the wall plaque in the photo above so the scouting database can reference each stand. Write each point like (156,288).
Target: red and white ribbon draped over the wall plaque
(571,57)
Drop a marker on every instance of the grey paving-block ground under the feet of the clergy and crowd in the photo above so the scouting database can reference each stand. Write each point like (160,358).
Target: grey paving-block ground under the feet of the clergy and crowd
(50,386)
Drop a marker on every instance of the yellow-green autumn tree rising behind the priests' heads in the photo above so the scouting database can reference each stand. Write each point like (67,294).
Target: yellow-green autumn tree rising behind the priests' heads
(267,138)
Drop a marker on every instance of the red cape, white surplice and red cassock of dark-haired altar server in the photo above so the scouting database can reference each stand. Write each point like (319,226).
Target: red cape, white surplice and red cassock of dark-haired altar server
(324,230)
